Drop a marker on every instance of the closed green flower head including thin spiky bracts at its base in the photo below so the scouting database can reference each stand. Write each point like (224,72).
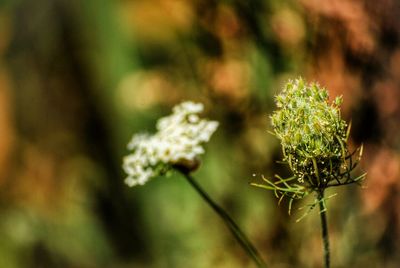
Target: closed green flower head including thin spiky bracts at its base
(314,141)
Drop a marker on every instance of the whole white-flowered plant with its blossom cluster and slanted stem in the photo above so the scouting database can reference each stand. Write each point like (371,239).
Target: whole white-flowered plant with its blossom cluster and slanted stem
(177,144)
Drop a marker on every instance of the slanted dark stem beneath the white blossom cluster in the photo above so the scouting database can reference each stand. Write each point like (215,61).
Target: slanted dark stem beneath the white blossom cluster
(233,227)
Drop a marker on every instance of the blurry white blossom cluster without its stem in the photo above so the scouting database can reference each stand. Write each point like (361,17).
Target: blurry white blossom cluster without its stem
(179,138)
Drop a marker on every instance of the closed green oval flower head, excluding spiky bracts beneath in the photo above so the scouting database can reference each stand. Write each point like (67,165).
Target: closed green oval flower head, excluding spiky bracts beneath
(312,134)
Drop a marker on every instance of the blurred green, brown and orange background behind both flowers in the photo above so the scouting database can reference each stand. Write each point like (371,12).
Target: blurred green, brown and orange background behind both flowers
(78,78)
